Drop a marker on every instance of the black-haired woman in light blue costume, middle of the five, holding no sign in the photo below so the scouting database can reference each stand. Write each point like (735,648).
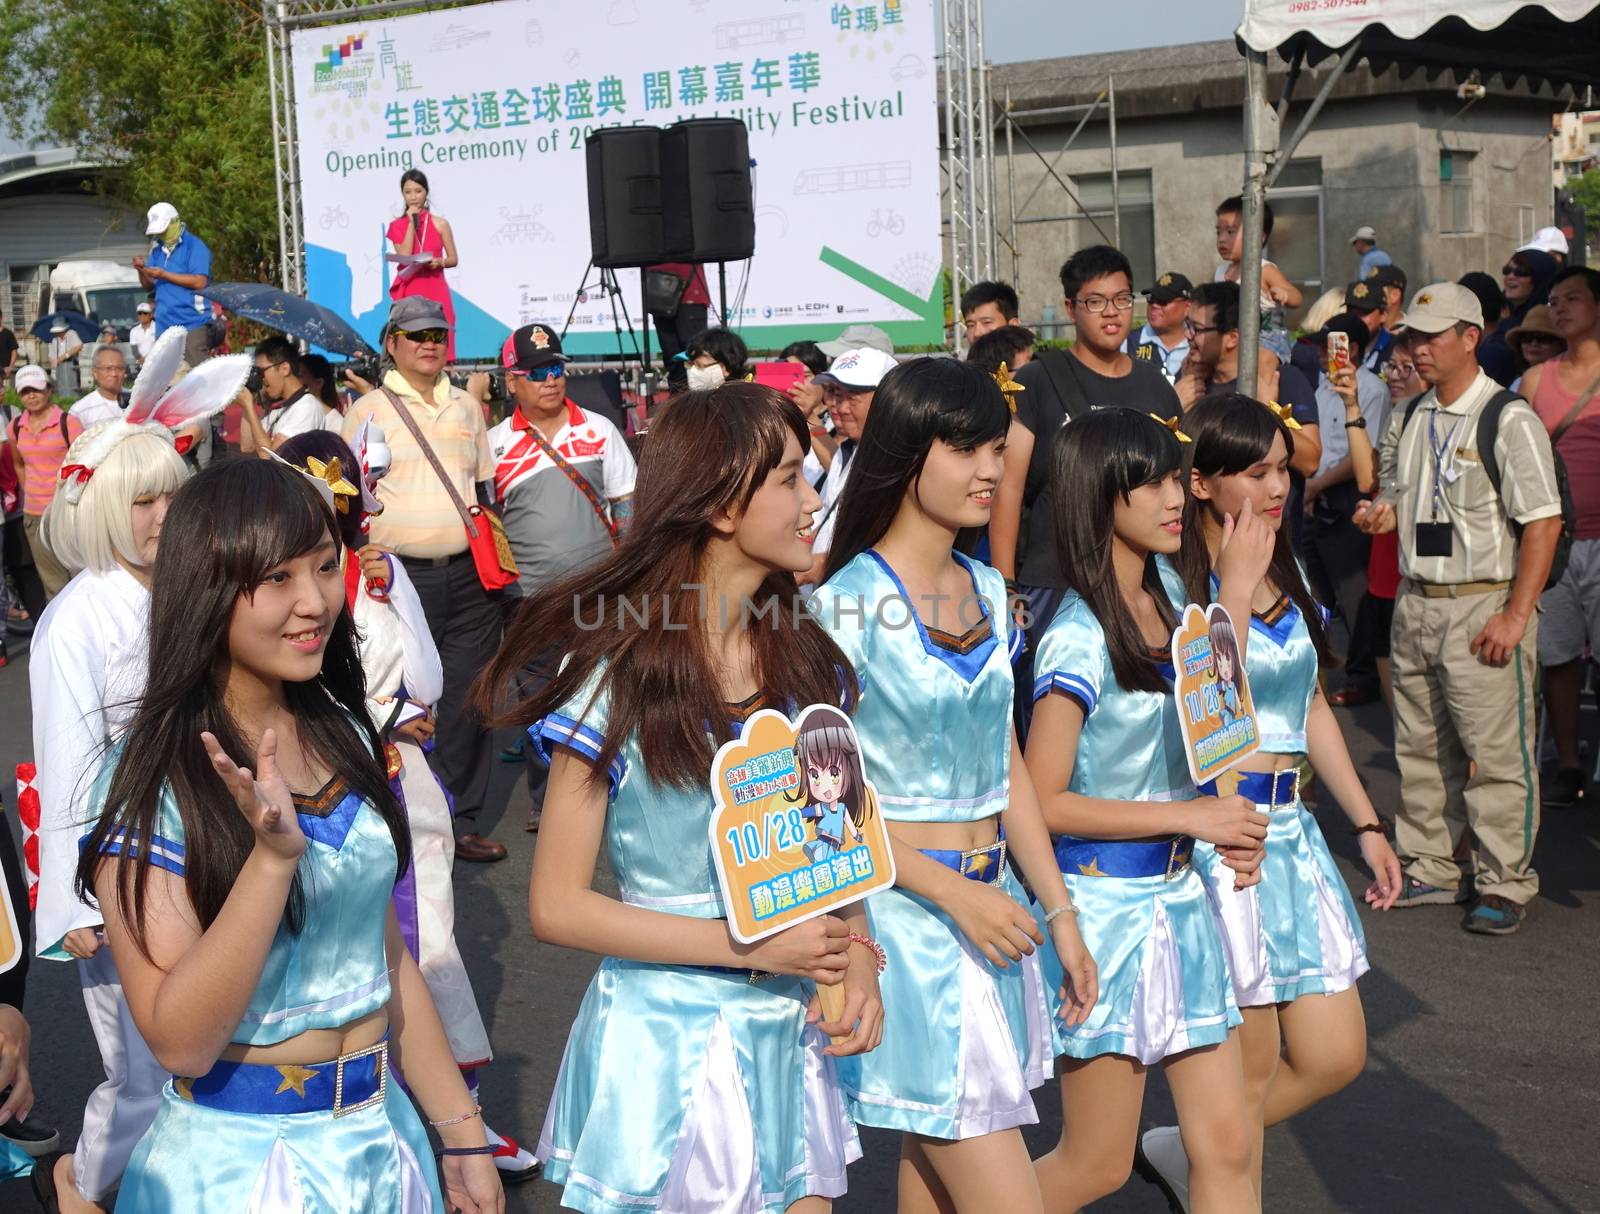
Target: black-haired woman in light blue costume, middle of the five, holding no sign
(967,1016)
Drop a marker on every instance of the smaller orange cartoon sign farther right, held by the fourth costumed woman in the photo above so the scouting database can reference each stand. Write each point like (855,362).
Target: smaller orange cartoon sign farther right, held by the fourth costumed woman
(1215,708)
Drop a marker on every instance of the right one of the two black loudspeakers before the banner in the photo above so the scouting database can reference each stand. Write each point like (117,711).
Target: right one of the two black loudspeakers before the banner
(706,202)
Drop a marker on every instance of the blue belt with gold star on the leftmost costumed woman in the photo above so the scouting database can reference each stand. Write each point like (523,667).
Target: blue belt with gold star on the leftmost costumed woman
(346,1085)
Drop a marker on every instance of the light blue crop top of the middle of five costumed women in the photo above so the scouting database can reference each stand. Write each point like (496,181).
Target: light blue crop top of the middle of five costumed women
(935,713)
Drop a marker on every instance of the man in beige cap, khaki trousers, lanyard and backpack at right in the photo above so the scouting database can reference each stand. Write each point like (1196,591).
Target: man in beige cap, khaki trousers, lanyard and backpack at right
(1474,557)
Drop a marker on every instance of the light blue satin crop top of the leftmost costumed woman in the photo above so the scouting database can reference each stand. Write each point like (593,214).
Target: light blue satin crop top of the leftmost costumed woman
(337,968)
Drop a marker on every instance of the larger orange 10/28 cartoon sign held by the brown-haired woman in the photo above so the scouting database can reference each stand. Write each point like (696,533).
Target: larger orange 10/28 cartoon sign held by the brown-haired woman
(798,831)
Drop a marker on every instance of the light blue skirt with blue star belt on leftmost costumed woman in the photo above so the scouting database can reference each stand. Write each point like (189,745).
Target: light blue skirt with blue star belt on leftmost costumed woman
(257,1140)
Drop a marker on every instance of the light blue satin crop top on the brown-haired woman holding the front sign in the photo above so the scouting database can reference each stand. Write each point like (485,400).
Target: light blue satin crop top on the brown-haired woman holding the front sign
(657,834)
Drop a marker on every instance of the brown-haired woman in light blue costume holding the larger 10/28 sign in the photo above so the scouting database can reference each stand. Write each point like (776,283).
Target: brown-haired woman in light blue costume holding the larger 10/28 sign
(697,1076)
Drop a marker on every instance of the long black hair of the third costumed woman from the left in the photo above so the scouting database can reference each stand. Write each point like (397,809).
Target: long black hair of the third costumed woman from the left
(918,402)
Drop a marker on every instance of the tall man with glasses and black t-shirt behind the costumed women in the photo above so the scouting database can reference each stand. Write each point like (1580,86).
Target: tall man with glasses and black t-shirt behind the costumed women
(1057,386)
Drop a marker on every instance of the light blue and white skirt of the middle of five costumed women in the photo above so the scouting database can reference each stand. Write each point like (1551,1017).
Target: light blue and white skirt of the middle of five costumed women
(964,1040)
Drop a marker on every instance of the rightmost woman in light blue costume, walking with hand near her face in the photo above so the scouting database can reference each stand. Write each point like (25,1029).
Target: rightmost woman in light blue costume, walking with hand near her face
(1297,933)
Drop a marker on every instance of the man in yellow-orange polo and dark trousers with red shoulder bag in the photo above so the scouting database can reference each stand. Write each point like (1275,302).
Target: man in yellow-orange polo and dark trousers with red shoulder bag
(423,529)
